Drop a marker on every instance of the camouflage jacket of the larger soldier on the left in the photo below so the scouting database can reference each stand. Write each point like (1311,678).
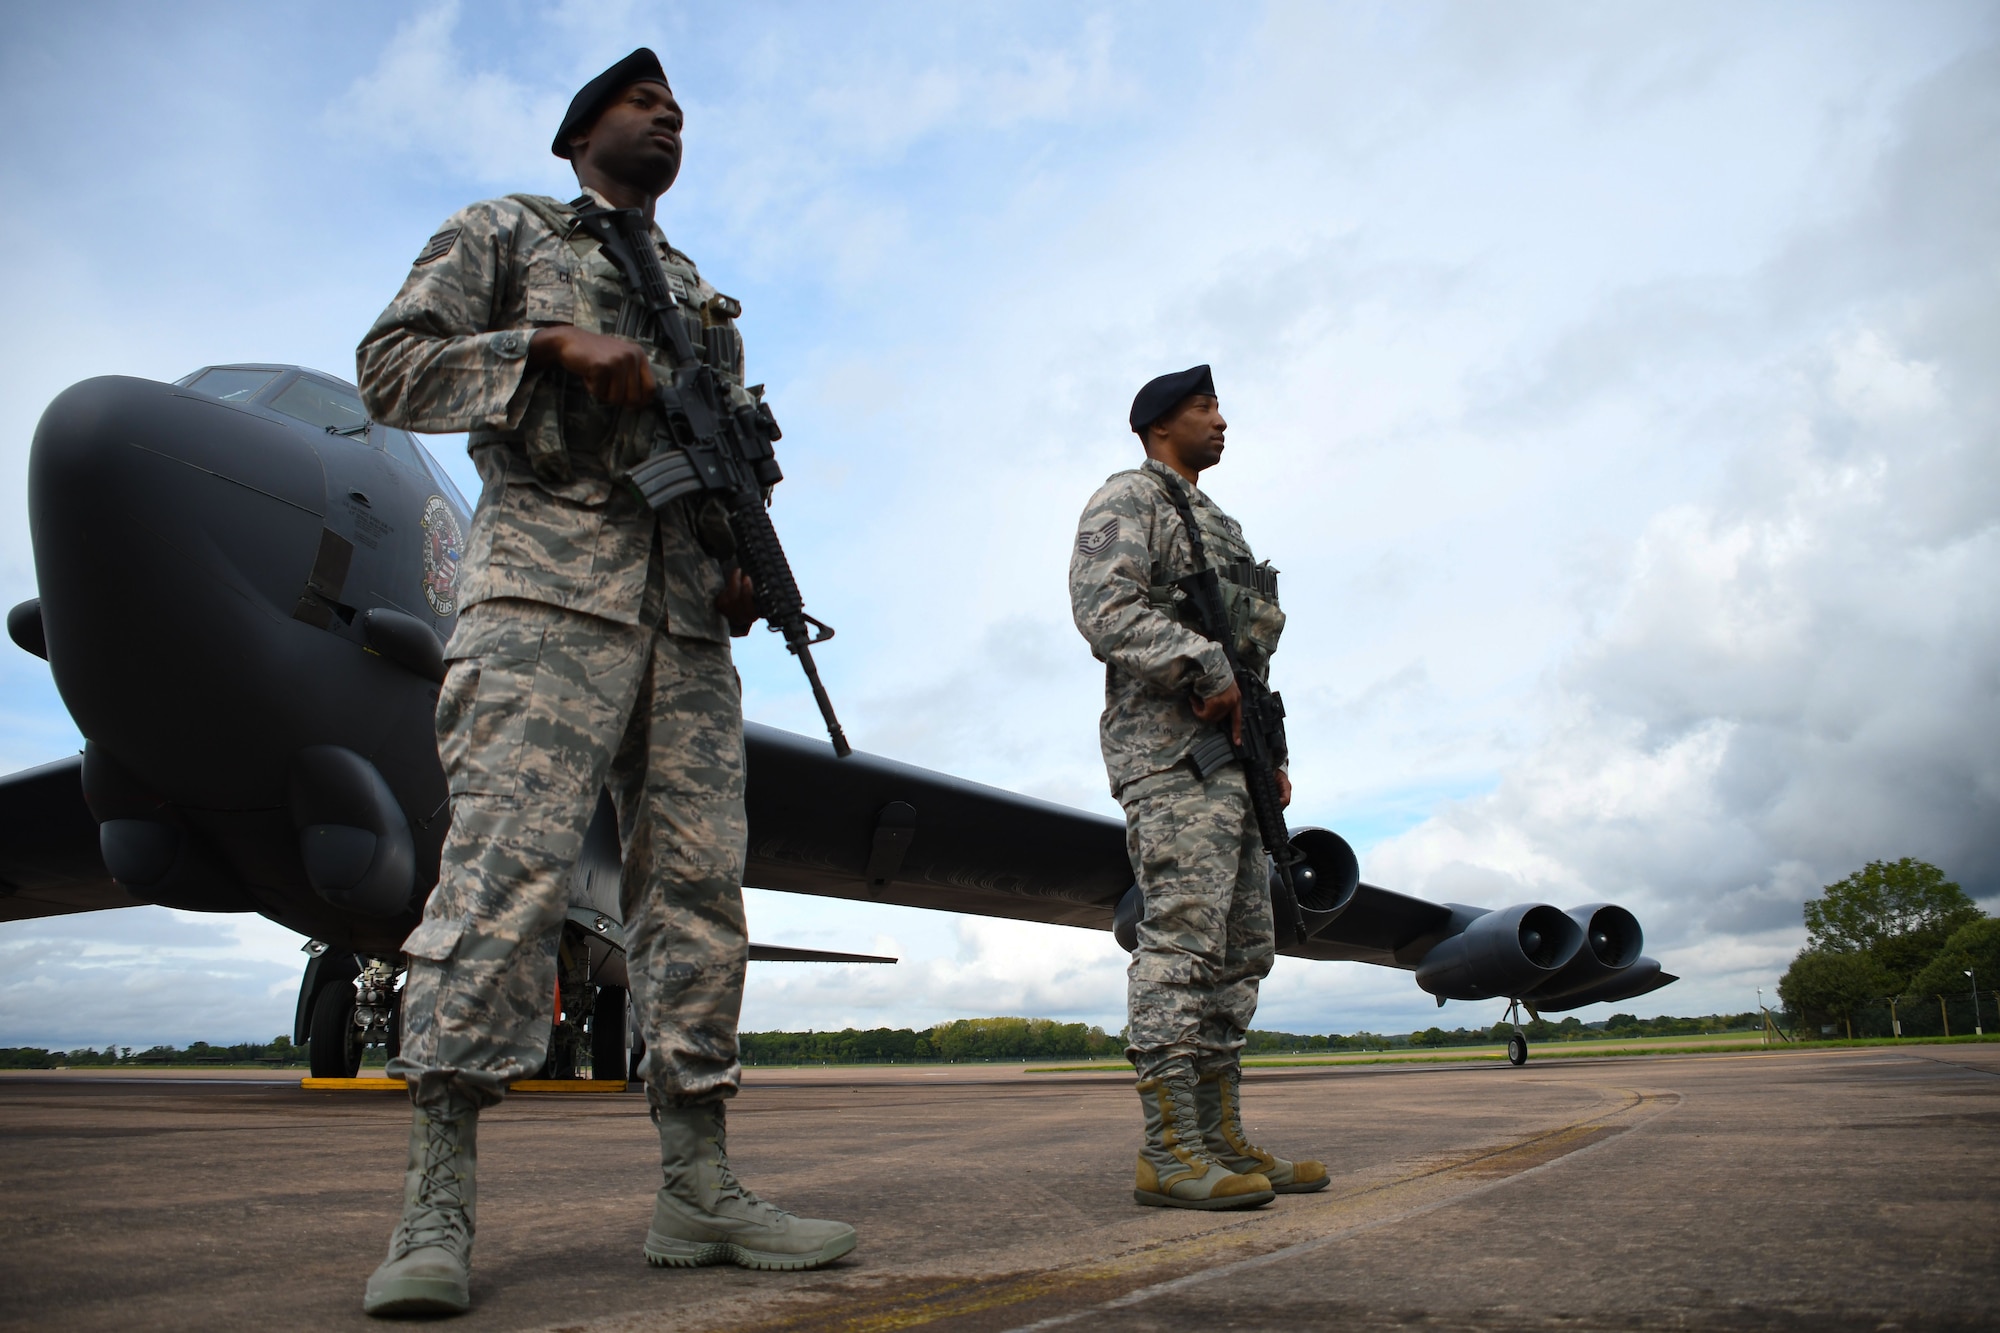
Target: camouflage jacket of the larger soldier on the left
(553,525)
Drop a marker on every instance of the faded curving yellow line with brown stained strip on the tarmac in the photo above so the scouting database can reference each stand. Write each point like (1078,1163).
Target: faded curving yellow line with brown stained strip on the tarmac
(1297,1226)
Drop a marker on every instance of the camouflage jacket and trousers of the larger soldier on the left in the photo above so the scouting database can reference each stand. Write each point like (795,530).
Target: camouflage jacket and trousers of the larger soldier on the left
(589,655)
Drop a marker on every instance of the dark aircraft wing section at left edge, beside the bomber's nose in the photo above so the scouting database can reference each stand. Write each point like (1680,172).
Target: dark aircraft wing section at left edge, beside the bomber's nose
(49,846)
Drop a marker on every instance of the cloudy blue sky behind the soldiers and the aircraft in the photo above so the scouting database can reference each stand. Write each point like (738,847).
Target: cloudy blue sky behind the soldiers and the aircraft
(1611,383)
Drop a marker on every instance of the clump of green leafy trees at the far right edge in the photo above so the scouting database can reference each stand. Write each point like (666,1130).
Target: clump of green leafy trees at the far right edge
(1895,942)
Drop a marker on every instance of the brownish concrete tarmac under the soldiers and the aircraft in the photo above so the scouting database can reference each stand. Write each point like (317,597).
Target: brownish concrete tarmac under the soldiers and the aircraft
(1845,1190)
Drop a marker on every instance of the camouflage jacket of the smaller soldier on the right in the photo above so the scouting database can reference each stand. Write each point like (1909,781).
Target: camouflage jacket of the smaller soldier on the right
(1131,547)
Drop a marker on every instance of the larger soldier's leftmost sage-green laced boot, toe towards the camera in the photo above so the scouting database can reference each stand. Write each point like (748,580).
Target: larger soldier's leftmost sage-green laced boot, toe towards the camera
(429,1268)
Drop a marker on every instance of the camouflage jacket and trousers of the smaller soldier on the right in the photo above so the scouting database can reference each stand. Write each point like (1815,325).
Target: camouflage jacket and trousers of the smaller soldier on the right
(1207,938)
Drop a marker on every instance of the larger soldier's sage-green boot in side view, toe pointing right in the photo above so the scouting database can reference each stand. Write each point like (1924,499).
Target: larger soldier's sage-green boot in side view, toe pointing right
(705,1216)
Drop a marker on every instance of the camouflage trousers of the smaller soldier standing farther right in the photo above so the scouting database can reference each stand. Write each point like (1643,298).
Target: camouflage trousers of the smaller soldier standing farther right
(1207,938)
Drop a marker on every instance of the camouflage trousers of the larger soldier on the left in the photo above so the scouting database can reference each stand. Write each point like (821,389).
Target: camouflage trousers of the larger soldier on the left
(541,710)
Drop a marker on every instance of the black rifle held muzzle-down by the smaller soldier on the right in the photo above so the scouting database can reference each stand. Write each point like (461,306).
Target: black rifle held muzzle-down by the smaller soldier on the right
(1263,730)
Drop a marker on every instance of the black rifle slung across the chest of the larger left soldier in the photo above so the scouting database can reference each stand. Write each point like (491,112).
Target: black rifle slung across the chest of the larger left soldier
(713,447)
